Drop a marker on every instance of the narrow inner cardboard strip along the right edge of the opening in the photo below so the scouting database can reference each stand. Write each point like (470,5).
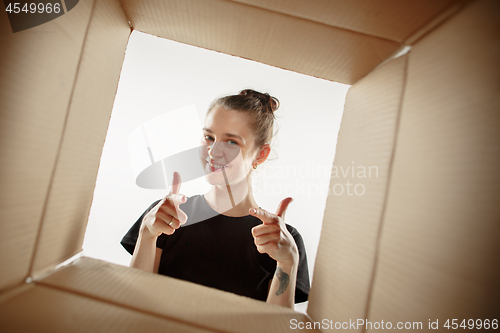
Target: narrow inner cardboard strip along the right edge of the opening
(350,234)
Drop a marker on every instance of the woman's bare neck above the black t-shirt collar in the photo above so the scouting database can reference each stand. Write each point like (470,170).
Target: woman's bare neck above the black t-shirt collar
(233,202)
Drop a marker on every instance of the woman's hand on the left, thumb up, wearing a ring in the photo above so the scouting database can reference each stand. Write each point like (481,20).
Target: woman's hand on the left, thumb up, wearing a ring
(165,217)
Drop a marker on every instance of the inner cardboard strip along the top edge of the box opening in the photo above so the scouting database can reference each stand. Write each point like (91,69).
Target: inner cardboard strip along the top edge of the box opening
(262,35)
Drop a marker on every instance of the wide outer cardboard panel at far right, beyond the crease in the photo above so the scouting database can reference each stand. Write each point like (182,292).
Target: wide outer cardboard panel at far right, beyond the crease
(439,246)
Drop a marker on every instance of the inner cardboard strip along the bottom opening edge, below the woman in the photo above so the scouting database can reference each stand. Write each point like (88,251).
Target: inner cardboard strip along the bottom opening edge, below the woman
(171,298)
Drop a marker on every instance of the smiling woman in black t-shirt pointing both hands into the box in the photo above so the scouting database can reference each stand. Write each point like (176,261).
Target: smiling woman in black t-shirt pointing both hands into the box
(223,239)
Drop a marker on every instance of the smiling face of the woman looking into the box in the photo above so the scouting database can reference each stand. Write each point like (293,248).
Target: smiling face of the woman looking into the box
(227,143)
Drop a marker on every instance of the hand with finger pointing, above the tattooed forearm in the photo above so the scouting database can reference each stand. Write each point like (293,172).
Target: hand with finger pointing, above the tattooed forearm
(272,236)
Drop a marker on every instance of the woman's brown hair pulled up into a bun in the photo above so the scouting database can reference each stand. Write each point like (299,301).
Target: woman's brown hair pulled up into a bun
(260,107)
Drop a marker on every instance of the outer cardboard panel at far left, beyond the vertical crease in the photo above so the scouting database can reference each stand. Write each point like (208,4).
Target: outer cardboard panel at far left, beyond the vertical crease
(37,72)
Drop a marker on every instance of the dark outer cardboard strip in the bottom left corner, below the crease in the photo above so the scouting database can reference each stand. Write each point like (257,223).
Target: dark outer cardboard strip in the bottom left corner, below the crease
(45,309)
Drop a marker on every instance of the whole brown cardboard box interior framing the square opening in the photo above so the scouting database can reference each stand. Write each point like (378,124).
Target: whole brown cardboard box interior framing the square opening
(421,246)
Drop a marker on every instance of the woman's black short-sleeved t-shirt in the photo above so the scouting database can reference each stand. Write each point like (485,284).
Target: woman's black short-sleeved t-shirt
(218,251)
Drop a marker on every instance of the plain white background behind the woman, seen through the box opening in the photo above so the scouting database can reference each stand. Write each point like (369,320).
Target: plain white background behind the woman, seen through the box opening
(161,76)
